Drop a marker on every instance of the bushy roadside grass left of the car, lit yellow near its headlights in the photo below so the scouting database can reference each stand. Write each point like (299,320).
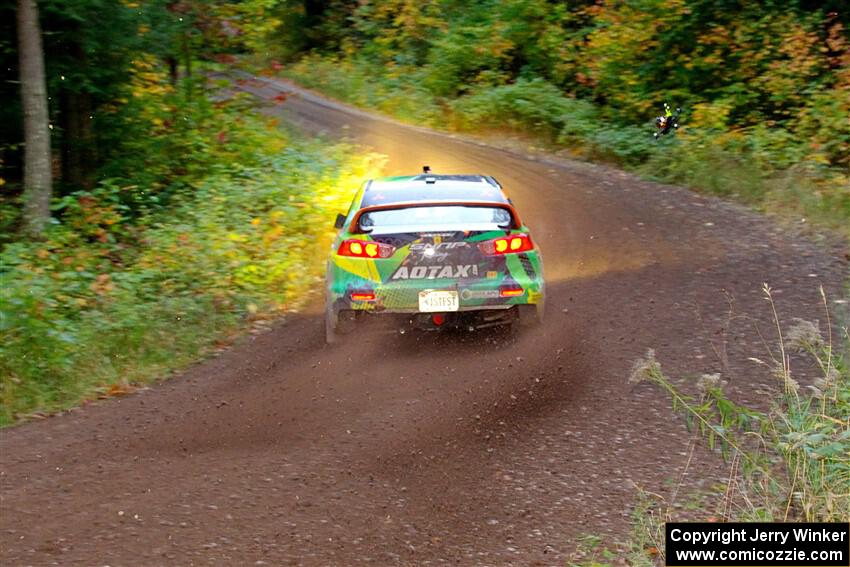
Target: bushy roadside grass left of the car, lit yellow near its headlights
(110,300)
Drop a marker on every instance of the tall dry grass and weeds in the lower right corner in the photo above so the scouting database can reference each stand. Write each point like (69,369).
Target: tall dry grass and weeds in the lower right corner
(788,460)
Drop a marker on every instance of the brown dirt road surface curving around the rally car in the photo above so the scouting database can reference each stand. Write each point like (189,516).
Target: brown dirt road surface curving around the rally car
(470,449)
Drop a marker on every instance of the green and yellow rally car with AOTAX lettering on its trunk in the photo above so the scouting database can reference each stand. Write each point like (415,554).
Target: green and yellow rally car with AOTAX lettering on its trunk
(432,252)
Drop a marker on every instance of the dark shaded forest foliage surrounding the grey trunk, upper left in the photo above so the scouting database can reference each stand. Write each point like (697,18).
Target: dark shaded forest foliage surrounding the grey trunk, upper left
(92,52)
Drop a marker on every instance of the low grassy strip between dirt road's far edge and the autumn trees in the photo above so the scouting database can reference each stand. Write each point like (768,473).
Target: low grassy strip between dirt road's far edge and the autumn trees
(771,169)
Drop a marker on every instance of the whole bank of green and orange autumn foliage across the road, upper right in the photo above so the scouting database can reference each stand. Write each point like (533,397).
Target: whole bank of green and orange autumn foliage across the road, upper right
(764,87)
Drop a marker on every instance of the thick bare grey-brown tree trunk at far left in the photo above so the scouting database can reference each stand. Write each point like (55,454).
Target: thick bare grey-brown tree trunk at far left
(37,167)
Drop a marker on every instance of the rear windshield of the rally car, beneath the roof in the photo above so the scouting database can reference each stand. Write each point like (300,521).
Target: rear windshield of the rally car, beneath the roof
(438,217)
